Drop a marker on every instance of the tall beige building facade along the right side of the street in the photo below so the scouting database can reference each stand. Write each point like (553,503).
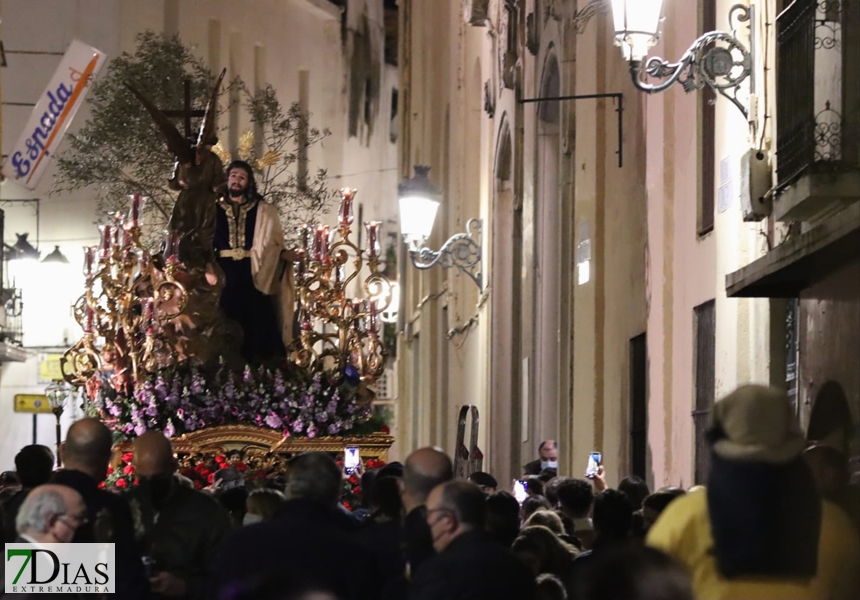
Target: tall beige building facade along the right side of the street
(605,320)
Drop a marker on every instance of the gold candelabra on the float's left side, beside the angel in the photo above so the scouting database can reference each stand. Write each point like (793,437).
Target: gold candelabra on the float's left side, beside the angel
(126,300)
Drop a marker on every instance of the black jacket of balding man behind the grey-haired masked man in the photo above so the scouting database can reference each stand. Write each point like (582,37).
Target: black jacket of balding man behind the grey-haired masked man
(109,520)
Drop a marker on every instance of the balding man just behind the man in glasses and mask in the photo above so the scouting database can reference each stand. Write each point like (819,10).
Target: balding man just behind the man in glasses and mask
(424,470)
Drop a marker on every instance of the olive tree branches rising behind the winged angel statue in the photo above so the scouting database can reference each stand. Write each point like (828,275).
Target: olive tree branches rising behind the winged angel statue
(119,151)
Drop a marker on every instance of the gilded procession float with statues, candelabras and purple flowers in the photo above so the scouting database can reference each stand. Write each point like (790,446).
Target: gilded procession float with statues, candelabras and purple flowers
(178,340)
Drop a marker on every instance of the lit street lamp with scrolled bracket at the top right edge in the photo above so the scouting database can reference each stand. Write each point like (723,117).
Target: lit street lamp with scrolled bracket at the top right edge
(716,59)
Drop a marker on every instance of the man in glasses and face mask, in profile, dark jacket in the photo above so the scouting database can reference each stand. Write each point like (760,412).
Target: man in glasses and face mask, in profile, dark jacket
(468,563)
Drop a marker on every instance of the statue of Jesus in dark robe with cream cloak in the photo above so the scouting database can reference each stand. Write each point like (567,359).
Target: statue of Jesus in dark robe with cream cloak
(249,247)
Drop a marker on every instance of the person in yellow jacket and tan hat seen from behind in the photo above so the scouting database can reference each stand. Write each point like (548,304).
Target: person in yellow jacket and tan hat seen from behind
(760,528)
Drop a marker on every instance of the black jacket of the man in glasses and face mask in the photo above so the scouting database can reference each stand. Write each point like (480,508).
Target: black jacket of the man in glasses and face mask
(473,567)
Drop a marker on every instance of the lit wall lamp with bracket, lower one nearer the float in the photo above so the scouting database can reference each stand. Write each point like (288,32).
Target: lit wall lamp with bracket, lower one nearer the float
(419,202)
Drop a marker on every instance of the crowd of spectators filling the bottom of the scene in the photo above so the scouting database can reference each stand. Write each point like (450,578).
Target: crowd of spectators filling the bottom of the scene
(778,518)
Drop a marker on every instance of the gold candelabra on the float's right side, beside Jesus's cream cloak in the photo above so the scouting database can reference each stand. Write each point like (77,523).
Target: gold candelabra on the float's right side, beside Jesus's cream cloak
(322,284)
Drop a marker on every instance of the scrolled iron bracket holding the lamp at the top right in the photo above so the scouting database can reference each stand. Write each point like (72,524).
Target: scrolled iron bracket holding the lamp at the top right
(716,60)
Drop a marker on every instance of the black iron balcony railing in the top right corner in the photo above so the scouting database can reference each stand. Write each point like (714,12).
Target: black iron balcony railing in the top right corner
(815,86)
